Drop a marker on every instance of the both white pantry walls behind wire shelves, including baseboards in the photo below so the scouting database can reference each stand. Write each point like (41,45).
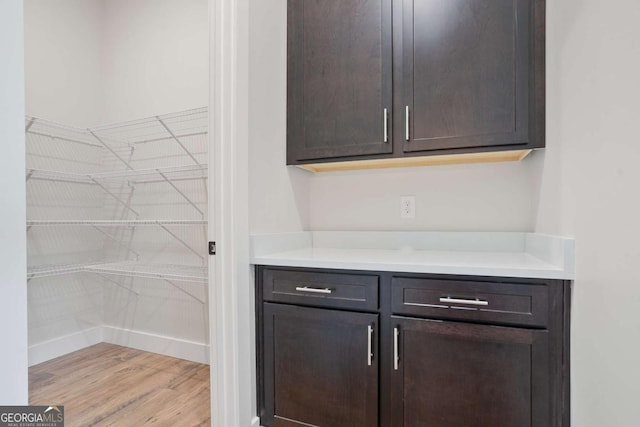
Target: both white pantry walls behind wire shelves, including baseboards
(91,62)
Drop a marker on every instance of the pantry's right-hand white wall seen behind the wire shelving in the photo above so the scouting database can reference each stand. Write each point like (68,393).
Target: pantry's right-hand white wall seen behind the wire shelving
(156,61)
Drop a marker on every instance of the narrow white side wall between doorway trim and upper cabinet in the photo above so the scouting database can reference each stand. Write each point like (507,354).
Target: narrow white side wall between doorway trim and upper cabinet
(278,196)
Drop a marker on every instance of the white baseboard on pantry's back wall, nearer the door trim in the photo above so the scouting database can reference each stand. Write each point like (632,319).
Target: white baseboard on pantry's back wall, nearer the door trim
(168,346)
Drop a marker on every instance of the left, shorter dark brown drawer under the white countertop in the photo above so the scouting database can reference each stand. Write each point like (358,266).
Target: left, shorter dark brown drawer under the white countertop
(321,289)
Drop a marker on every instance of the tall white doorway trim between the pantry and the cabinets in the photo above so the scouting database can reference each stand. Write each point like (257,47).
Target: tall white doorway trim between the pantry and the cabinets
(230,329)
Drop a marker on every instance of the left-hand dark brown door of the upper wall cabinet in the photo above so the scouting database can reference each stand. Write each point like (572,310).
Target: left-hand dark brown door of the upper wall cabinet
(338,79)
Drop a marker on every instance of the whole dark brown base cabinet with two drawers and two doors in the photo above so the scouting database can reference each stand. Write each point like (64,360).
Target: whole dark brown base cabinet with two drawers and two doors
(351,348)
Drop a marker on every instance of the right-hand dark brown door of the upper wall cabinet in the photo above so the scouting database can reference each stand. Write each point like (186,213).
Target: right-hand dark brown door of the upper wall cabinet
(470,74)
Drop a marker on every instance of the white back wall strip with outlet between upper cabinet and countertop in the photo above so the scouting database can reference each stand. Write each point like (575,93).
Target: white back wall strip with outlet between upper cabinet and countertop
(480,197)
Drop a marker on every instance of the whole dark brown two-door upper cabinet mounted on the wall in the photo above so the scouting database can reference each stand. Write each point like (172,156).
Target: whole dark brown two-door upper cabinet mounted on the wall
(467,78)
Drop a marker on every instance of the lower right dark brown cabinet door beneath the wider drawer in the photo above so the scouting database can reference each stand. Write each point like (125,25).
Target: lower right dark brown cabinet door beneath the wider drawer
(449,374)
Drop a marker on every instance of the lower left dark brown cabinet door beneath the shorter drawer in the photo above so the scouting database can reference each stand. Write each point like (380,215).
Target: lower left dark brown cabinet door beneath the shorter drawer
(320,367)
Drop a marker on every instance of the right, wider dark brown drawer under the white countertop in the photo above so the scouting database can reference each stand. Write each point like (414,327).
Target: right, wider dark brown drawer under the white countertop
(506,303)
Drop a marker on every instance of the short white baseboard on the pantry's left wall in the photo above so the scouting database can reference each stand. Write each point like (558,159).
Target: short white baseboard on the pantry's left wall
(47,350)
